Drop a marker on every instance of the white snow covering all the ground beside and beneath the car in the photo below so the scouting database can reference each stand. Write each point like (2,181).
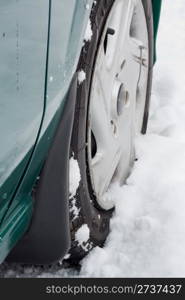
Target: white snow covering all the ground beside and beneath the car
(147,235)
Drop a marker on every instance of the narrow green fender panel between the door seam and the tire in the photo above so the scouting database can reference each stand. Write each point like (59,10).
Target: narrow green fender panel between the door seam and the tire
(56,94)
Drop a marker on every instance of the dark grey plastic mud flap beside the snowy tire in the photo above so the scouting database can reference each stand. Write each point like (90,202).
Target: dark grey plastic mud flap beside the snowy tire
(48,238)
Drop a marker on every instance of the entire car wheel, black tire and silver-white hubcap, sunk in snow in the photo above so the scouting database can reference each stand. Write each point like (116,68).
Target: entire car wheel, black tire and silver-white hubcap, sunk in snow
(115,75)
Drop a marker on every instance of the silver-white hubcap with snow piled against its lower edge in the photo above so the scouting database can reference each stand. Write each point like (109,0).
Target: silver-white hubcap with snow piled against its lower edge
(117,99)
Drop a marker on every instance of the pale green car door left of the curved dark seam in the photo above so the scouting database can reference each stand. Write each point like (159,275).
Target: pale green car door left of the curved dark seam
(23,48)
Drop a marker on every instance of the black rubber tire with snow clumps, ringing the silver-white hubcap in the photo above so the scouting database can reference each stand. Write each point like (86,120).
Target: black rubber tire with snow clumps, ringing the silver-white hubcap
(92,219)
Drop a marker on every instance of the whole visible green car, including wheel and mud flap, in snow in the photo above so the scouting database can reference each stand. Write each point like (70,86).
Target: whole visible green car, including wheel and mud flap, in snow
(76,80)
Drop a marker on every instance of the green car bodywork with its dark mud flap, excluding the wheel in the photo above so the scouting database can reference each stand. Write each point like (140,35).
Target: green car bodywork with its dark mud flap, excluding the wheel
(38,61)
